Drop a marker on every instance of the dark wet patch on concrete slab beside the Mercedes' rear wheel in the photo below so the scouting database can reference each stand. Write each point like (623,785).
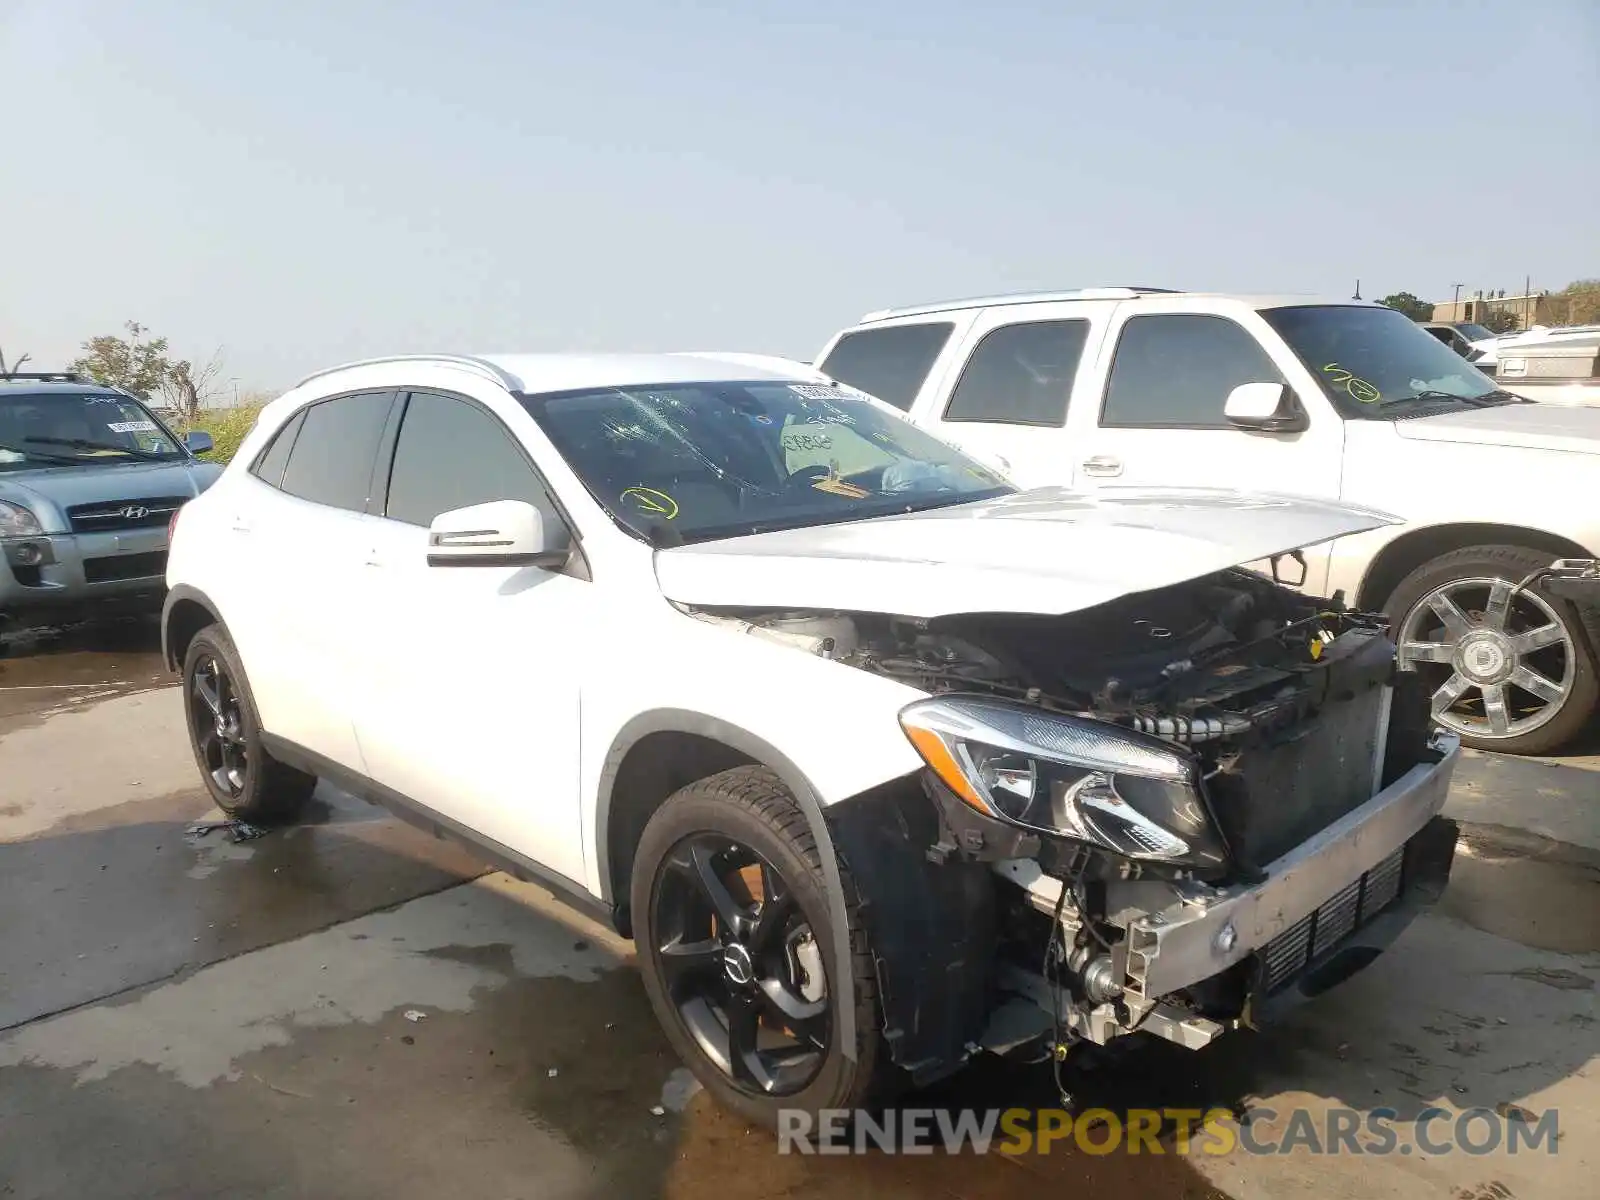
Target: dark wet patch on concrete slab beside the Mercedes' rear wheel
(121,897)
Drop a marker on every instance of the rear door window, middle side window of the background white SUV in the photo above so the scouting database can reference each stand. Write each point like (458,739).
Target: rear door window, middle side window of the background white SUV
(1022,375)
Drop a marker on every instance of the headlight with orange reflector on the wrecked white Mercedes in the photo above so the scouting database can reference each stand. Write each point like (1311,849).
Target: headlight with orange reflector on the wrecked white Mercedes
(1070,777)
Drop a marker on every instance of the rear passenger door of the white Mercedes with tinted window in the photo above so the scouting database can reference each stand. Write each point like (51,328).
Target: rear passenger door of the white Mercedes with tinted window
(298,548)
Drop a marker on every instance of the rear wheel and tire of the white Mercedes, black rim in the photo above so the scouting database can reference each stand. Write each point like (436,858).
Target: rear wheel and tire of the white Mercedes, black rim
(225,734)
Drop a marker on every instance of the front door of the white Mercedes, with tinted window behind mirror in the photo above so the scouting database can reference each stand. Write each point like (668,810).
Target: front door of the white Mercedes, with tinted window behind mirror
(470,700)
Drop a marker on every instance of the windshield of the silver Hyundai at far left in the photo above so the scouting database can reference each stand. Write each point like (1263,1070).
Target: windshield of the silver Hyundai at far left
(54,430)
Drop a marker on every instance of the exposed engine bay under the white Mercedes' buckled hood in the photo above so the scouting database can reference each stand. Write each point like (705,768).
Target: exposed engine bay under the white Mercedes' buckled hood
(1202,663)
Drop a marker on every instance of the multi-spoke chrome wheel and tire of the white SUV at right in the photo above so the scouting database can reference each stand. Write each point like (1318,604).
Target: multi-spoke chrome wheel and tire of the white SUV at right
(1484,657)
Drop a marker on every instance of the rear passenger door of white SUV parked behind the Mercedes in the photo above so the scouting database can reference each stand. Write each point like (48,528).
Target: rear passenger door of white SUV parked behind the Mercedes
(1007,399)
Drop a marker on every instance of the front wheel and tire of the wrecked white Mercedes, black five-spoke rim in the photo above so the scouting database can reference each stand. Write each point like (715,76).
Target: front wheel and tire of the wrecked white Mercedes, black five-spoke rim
(718,825)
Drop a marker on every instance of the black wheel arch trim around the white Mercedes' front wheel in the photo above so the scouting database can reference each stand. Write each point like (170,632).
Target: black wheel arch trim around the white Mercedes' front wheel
(759,750)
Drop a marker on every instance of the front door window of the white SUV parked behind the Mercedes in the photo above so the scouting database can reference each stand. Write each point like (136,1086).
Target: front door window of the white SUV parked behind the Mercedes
(1177,370)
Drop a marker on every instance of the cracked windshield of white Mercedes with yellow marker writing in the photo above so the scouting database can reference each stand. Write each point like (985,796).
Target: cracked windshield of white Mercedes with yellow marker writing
(718,460)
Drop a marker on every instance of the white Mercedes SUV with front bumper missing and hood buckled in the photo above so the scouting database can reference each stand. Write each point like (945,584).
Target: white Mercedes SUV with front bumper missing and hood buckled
(882,762)
